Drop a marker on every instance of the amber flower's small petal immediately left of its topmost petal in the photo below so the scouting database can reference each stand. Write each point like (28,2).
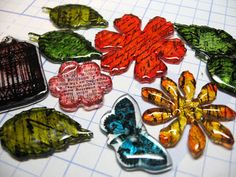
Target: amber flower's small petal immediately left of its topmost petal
(170,87)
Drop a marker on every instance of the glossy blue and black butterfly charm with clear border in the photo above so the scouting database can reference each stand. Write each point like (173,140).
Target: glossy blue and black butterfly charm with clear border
(135,148)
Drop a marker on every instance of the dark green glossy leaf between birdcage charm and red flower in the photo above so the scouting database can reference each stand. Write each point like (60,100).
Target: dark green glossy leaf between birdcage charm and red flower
(65,45)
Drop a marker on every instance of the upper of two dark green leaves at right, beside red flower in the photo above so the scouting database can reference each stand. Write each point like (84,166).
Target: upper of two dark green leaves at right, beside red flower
(206,41)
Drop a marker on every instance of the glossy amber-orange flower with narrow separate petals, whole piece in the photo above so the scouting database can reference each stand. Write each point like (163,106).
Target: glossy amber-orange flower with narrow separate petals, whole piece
(184,109)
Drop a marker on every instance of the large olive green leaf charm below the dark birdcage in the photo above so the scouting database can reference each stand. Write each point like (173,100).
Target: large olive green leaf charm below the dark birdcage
(39,132)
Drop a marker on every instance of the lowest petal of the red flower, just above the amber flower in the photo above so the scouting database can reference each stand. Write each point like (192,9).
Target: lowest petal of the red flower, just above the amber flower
(147,69)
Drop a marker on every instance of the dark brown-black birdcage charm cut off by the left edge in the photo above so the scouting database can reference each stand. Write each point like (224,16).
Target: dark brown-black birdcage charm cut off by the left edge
(22,80)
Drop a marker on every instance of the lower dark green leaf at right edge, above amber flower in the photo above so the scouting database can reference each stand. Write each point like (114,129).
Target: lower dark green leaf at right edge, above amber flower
(222,71)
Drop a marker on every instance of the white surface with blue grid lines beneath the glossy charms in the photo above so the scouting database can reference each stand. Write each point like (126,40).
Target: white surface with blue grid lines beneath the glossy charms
(95,158)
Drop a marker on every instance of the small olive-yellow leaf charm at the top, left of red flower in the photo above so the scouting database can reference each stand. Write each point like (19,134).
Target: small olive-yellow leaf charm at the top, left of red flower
(75,16)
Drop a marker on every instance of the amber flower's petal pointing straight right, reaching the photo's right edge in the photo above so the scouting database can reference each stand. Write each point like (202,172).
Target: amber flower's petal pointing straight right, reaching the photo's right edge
(218,112)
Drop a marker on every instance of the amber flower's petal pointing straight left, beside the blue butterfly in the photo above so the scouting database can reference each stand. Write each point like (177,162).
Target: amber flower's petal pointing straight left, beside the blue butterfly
(156,116)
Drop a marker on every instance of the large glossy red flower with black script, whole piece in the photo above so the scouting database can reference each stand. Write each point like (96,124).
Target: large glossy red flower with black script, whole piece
(147,48)
